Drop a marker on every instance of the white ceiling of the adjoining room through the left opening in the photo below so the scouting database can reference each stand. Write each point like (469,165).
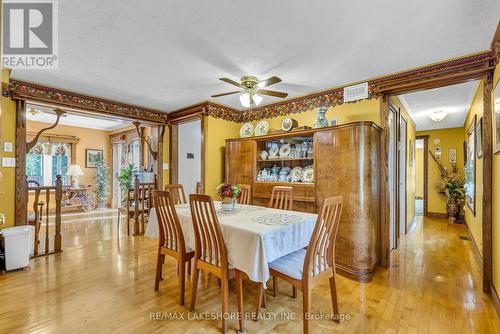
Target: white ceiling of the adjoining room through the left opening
(46,115)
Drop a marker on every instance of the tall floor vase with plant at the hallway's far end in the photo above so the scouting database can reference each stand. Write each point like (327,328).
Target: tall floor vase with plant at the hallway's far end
(452,186)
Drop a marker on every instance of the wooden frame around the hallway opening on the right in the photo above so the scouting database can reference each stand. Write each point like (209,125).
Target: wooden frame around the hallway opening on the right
(442,78)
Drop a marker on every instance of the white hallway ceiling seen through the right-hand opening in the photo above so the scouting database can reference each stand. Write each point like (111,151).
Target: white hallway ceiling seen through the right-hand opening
(454,100)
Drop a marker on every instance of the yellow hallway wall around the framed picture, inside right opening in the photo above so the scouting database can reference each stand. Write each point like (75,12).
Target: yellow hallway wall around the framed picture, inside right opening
(475,222)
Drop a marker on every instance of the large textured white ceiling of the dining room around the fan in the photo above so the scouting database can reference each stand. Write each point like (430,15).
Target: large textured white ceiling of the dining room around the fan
(169,54)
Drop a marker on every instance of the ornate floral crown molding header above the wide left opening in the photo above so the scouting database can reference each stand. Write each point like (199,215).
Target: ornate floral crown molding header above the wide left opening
(29,91)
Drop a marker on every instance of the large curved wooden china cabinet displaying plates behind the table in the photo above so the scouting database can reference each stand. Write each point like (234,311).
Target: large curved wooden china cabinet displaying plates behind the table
(319,163)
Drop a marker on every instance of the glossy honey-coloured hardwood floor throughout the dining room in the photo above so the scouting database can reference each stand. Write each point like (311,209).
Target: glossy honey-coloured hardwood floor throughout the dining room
(104,284)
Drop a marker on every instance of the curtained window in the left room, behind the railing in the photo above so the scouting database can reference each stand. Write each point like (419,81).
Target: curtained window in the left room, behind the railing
(47,160)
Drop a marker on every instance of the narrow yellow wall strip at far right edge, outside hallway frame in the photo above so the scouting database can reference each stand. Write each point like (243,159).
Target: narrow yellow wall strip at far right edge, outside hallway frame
(496,200)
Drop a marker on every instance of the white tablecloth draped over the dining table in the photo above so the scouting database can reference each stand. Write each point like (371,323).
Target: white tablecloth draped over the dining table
(254,235)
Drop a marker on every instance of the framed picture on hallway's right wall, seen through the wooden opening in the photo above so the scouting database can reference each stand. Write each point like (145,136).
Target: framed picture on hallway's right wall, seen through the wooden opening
(470,168)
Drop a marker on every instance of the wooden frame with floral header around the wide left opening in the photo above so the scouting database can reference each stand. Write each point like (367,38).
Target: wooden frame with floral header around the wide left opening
(25,92)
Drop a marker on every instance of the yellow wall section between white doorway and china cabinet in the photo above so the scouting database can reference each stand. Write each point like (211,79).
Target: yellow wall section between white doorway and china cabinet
(216,133)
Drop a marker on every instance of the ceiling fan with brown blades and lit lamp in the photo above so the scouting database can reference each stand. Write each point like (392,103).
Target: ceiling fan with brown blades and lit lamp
(252,90)
